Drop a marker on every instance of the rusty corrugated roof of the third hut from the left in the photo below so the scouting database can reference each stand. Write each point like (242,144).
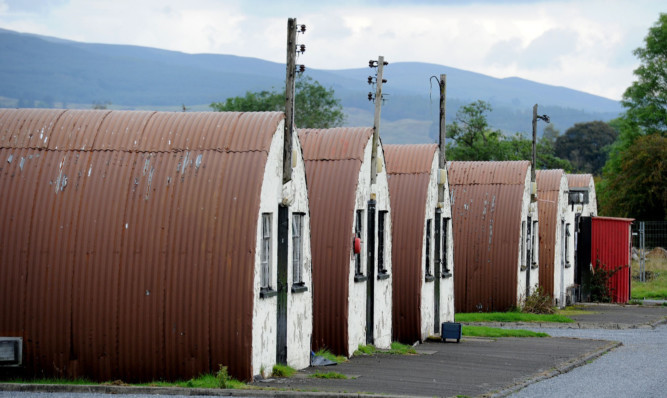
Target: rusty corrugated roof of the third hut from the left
(409,173)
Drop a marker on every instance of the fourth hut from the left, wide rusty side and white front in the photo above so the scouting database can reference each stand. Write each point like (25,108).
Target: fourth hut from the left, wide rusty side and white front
(494,252)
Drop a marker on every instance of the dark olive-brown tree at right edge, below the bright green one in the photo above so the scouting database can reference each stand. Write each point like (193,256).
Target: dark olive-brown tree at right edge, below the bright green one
(639,190)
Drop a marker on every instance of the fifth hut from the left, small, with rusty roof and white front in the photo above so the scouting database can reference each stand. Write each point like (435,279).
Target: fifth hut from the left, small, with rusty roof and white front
(556,252)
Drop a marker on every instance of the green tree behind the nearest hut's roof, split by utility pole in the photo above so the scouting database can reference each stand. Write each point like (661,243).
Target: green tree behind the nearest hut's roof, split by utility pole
(314,105)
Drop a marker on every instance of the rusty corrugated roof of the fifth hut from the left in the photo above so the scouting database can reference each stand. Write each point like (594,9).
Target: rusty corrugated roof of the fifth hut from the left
(548,194)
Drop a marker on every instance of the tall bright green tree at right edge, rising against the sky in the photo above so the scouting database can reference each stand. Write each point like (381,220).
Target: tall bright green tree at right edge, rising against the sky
(646,98)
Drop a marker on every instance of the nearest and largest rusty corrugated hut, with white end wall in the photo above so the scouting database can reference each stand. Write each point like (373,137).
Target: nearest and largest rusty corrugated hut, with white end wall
(145,245)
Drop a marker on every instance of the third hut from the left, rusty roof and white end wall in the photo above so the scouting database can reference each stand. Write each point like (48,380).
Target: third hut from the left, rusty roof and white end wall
(422,254)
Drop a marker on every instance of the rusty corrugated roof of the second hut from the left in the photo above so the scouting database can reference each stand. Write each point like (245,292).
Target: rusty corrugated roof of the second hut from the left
(333,159)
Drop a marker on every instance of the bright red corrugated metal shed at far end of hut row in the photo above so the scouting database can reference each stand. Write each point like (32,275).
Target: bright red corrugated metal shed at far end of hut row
(611,248)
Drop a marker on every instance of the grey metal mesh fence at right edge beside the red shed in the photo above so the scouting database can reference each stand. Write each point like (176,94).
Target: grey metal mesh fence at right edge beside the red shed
(649,238)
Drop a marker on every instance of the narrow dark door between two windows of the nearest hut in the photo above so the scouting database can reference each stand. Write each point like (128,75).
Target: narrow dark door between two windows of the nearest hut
(283,239)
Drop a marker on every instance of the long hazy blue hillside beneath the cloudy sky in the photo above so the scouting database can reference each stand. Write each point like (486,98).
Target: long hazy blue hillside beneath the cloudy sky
(45,71)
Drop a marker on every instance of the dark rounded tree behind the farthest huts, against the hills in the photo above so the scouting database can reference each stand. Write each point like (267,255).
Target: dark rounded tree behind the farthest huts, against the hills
(586,146)
